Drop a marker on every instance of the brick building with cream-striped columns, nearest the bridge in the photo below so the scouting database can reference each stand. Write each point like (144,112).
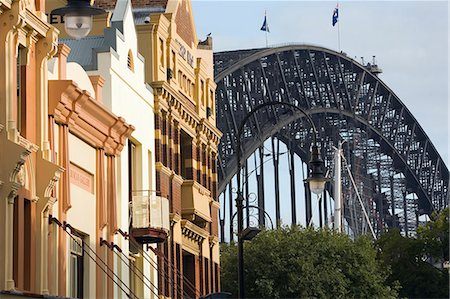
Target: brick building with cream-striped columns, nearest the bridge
(179,68)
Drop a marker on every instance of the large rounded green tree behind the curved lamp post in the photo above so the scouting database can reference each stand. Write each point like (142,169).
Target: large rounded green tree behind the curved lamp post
(293,262)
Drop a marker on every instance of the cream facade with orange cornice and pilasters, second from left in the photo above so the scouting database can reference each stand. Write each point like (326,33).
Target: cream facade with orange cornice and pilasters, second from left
(86,139)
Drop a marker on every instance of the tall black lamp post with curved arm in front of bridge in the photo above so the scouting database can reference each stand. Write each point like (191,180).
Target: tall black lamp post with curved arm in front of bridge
(316,181)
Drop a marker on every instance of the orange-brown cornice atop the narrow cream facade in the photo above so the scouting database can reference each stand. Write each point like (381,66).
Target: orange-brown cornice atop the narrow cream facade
(86,117)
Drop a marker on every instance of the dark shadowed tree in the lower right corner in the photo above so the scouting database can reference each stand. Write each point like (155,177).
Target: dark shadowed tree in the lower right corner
(410,259)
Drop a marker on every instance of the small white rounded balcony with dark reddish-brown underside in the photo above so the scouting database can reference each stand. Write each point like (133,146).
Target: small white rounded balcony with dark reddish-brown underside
(150,217)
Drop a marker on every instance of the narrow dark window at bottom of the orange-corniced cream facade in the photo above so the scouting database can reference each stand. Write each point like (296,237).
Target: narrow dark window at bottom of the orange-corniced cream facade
(76,267)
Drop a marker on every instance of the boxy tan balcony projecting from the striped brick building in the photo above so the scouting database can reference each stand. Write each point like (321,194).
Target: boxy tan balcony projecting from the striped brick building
(195,203)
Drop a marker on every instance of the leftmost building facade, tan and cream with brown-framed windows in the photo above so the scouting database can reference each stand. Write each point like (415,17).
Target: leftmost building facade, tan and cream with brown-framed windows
(28,172)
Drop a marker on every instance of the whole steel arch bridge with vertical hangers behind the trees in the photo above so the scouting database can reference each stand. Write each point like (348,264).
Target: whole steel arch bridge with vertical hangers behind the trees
(395,169)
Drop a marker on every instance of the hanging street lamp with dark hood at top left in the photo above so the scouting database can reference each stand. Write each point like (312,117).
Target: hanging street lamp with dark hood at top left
(78,17)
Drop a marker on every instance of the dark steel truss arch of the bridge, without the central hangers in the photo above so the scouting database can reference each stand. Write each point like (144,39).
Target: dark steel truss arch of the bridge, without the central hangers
(347,101)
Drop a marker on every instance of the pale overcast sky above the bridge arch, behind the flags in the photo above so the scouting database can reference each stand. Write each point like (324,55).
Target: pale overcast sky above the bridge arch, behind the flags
(409,39)
